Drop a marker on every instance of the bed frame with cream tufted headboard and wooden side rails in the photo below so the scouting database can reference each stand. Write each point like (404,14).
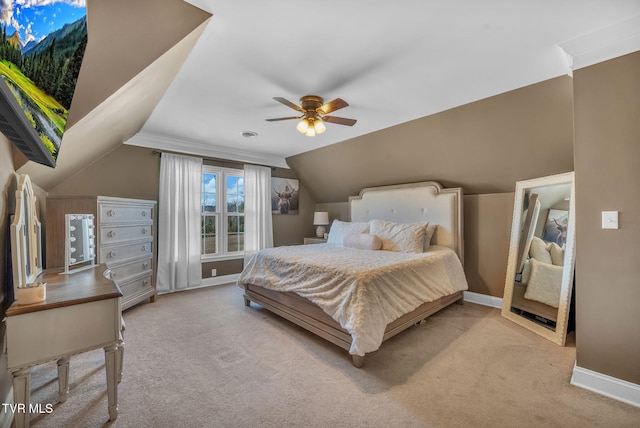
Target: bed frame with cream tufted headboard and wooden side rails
(406,203)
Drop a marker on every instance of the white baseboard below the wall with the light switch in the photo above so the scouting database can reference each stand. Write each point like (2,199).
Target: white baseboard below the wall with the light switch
(608,386)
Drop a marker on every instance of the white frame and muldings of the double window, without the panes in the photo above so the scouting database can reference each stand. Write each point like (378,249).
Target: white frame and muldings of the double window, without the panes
(221,214)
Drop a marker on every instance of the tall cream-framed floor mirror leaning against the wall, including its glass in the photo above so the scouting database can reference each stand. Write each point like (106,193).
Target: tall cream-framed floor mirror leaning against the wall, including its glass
(540,267)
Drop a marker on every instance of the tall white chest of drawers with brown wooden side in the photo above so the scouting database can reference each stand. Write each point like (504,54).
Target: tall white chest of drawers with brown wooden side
(125,240)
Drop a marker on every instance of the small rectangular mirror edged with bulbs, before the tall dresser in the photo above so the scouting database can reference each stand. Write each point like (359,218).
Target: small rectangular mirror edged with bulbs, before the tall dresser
(80,241)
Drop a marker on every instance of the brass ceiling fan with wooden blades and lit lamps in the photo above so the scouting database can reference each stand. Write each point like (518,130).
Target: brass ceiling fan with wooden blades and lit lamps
(314,114)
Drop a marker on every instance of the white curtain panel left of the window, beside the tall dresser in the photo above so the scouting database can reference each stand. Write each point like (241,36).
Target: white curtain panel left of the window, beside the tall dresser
(179,265)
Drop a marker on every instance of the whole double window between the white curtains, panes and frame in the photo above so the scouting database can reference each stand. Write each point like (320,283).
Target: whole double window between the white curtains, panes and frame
(222,212)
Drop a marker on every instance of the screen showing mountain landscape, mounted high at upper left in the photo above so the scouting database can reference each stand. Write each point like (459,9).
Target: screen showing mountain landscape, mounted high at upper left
(42,44)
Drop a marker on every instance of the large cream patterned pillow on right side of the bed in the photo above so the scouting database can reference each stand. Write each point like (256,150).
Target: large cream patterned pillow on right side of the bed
(404,238)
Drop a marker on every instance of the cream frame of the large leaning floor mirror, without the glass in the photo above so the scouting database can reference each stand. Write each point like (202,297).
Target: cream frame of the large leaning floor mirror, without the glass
(560,334)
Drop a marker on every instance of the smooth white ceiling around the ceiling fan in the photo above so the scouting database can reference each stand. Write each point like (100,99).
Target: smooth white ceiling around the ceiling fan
(391,61)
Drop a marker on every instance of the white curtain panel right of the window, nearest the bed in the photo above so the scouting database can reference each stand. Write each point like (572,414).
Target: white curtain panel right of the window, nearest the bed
(258,229)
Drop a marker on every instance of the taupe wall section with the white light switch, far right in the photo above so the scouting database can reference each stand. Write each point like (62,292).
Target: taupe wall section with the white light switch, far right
(607,157)
